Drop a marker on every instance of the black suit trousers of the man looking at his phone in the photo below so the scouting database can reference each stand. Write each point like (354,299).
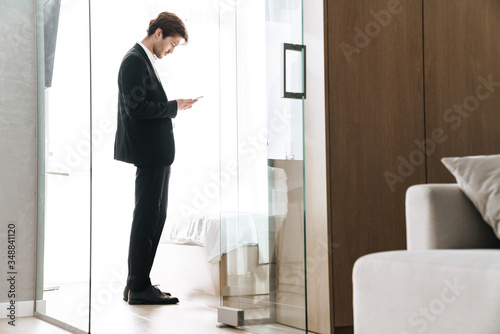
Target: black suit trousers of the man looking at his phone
(150,213)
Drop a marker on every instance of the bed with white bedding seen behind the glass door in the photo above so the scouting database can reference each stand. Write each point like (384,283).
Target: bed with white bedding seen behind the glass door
(220,255)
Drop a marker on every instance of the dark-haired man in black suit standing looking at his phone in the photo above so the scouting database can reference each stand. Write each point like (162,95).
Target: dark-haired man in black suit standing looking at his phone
(144,137)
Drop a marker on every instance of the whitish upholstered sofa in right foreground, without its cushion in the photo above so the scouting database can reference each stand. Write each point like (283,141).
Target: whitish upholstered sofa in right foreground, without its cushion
(448,281)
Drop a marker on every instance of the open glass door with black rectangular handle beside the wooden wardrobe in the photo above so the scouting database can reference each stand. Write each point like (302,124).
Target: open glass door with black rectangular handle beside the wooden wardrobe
(263,272)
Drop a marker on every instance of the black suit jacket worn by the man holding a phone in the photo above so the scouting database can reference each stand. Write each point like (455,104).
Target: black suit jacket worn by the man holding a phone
(144,133)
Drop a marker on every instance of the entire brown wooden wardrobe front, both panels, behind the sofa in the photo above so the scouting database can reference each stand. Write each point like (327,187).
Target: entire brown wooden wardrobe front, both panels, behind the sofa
(408,82)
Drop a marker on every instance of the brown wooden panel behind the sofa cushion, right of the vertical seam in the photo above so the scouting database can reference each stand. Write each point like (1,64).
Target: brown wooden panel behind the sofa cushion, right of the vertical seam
(462,80)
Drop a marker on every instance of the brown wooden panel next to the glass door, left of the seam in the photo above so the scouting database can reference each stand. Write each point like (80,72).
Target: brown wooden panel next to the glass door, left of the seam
(374,116)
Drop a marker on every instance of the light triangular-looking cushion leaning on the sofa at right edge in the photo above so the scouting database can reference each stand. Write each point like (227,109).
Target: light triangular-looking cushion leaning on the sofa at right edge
(479,179)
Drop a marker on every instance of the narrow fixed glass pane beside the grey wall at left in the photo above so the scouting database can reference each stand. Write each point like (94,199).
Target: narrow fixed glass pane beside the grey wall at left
(64,219)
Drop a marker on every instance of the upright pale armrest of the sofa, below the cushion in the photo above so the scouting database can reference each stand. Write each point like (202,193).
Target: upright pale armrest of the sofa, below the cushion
(440,216)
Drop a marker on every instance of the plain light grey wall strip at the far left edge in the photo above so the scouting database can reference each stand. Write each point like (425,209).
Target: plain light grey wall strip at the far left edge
(18,119)
